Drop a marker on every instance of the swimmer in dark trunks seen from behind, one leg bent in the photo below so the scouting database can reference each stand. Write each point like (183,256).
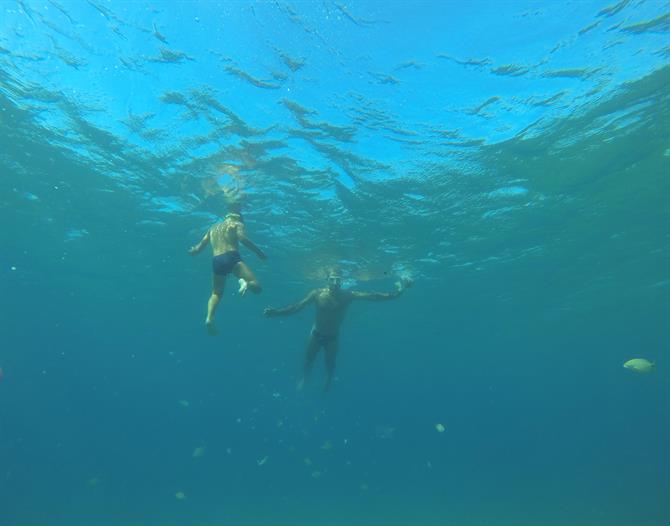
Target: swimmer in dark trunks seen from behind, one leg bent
(225,237)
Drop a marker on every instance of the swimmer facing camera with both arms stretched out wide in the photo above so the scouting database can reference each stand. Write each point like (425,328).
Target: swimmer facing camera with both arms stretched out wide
(331,305)
